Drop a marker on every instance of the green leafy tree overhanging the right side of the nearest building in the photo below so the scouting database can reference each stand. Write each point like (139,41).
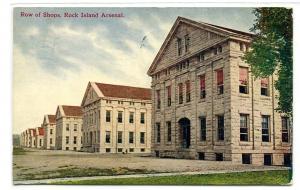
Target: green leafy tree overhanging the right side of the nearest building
(271,52)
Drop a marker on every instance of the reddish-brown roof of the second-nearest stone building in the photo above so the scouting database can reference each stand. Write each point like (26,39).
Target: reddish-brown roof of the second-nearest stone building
(129,92)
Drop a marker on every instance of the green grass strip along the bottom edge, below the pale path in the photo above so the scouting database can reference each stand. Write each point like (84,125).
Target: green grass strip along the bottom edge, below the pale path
(279,177)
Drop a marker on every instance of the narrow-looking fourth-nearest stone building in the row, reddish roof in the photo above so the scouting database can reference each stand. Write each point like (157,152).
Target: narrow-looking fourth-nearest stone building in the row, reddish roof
(49,125)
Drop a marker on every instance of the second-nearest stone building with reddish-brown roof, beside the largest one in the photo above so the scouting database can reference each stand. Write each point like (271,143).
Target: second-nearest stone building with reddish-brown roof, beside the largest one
(116,119)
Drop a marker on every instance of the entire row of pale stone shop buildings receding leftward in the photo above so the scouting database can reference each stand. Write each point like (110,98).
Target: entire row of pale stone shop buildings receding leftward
(203,104)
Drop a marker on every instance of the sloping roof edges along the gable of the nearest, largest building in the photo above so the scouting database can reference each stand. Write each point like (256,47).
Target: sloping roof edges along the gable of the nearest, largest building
(220,30)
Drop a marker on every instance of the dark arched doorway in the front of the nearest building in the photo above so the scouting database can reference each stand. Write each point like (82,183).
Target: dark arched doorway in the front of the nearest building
(185,132)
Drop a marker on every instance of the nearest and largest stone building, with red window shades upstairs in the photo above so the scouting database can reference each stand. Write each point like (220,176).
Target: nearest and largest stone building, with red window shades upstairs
(207,105)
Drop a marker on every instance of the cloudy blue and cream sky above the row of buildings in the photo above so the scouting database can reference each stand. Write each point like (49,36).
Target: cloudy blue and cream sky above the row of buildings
(55,58)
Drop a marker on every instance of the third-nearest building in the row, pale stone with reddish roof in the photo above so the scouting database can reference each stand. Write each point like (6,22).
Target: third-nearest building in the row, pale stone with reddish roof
(68,128)
